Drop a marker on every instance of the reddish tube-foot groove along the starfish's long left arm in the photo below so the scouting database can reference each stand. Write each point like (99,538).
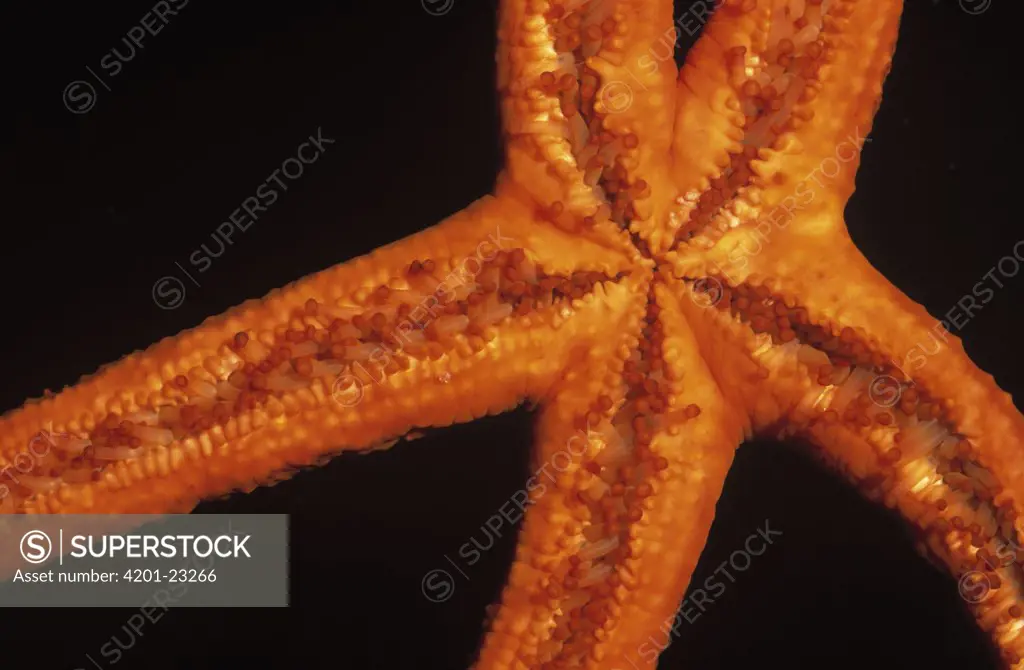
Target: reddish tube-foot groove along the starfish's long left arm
(317,352)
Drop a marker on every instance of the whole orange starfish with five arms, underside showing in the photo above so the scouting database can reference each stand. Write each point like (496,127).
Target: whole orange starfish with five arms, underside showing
(663,268)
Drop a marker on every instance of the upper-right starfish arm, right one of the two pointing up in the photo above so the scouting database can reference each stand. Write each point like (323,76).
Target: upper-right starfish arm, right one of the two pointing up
(786,104)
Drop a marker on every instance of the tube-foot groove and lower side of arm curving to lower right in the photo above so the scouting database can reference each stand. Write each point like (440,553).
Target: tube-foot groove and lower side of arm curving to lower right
(902,445)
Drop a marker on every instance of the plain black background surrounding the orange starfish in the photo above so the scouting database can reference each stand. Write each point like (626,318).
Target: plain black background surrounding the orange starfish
(100,206)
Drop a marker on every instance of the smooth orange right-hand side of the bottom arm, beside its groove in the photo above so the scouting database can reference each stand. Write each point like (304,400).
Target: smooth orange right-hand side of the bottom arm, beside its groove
(699,441)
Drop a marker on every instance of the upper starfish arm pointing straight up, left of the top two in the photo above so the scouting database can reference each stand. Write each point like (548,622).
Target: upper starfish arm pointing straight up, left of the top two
(588,109)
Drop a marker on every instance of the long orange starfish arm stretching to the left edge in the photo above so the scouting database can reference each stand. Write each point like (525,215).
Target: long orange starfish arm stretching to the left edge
(465,319)
